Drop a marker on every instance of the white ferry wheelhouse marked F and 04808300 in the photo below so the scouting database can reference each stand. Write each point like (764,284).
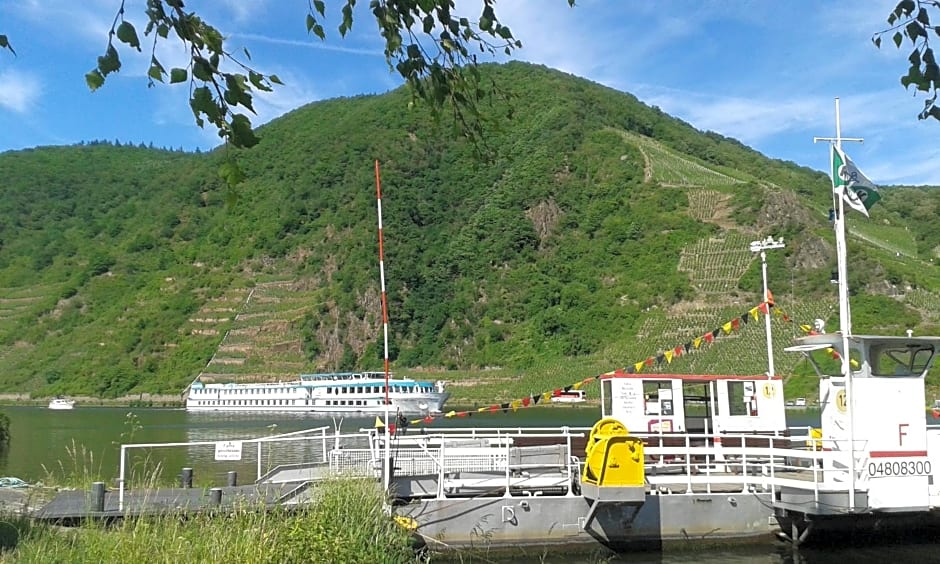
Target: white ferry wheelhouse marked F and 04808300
(877,423)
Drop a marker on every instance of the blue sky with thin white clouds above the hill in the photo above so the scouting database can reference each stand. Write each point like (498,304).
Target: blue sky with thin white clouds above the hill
(763,72)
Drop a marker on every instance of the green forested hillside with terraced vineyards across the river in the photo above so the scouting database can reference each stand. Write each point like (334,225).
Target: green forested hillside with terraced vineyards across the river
(596,232)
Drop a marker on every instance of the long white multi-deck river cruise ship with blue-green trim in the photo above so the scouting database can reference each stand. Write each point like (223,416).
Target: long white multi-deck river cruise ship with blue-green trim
(337,392)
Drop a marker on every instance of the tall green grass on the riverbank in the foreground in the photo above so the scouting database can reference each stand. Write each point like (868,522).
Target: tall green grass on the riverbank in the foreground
(347,523)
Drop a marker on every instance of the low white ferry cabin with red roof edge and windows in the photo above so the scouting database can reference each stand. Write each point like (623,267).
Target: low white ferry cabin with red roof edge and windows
(683,403)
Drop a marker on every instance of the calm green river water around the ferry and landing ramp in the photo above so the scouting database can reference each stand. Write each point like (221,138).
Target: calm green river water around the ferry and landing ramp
(85,441)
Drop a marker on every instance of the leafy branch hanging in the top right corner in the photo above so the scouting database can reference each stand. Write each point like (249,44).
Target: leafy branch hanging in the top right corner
(910,19)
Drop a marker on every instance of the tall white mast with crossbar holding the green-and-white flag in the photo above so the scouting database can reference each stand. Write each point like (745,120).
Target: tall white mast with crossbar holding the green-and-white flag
(845,318)
